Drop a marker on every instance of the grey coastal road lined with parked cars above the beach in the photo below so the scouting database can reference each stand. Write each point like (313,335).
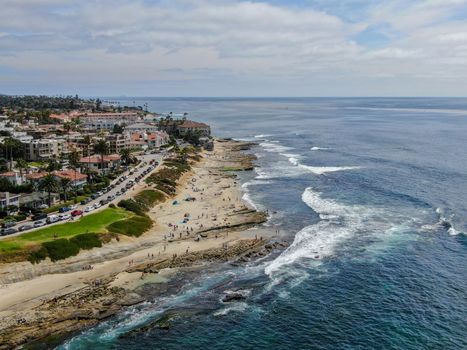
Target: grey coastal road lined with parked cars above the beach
(158,157)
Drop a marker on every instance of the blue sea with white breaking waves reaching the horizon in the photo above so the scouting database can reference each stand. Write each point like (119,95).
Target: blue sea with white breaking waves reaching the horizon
(371,194)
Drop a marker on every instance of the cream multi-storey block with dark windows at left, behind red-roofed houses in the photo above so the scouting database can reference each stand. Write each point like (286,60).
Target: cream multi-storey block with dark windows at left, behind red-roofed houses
(44,149)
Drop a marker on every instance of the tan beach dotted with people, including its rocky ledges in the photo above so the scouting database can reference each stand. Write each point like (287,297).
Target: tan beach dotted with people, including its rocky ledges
(205,221)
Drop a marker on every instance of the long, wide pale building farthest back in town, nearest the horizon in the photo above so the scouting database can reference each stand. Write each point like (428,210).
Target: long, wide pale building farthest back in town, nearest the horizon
(107,121)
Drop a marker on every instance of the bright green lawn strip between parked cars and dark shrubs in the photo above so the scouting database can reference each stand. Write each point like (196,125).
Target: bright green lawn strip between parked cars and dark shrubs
(96,222)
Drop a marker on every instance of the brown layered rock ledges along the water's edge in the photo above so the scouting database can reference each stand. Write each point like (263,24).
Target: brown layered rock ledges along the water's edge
(56,318)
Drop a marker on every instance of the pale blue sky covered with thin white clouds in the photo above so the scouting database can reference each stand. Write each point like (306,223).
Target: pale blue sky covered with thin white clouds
(234,47)
